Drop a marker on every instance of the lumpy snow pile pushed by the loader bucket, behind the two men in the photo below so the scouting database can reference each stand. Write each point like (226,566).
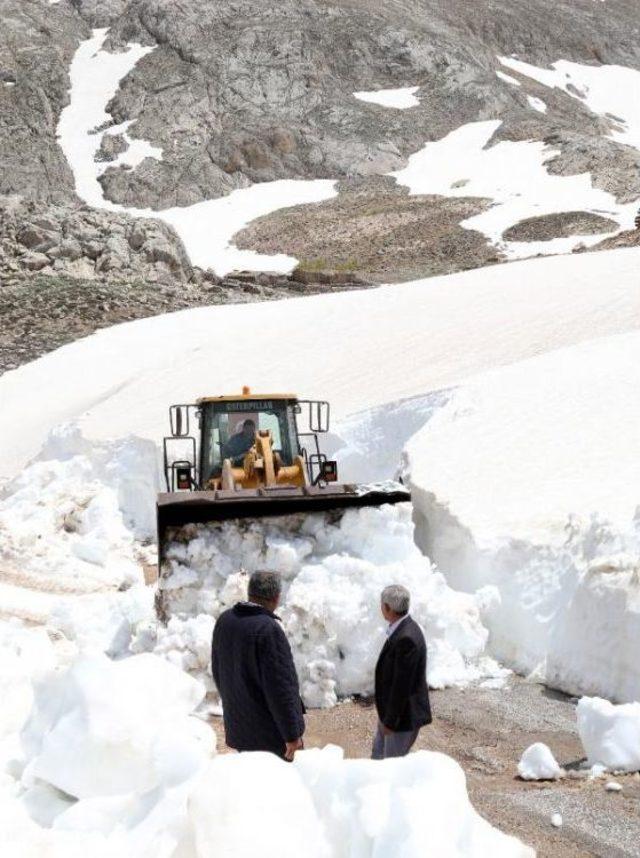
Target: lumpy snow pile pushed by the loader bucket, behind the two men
(334,573)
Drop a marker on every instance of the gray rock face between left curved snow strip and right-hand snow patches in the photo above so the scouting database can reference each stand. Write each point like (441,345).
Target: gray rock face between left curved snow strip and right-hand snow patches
(246,91)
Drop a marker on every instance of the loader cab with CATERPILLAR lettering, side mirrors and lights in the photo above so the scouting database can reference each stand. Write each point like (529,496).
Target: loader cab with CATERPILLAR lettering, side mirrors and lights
(214,429)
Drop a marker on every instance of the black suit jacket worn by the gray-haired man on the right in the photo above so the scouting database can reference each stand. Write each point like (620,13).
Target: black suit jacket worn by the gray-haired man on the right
(402,697)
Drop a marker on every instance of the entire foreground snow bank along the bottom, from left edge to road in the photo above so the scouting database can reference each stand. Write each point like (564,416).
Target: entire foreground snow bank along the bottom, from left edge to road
(111,763)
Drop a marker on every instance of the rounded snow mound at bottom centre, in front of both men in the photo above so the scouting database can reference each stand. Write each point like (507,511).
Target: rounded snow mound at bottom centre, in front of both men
(324,805)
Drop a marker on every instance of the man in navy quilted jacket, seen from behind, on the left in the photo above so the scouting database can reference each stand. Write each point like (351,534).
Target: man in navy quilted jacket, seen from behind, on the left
(253,668)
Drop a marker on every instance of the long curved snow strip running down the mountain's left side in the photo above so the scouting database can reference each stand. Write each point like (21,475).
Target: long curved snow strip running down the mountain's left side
(206,228)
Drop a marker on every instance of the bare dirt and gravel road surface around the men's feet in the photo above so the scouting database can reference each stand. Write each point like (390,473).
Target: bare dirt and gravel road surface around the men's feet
(486,732)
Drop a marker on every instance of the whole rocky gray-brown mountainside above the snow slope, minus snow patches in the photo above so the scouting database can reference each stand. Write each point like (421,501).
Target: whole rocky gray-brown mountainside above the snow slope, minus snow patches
(240,92)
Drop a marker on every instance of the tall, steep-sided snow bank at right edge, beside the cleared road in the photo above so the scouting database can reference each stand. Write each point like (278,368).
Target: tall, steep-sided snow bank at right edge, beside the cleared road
(527,479)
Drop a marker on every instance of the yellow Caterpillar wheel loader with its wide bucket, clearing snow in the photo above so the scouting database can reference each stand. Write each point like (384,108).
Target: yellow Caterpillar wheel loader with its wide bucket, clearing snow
(251,456)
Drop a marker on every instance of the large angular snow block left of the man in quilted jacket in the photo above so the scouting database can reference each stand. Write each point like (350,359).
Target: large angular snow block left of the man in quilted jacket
(106,728)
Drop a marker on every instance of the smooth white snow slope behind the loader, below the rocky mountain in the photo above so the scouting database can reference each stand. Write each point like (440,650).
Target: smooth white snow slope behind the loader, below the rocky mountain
(358,349)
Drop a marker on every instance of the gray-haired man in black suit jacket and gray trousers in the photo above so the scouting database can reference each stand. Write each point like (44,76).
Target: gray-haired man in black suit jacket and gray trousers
(402,697)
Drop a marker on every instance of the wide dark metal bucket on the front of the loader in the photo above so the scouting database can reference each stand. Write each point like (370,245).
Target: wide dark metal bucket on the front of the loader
(176,510)
